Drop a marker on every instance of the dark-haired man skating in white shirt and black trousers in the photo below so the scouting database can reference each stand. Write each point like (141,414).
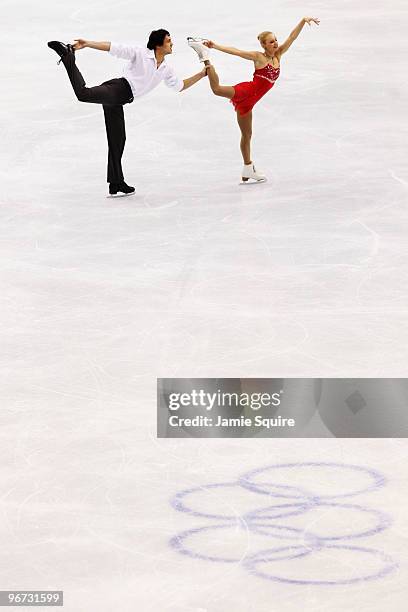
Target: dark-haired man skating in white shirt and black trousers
(144,71)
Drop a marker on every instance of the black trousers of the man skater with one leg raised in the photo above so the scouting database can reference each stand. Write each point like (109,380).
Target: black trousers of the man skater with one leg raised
(112,95)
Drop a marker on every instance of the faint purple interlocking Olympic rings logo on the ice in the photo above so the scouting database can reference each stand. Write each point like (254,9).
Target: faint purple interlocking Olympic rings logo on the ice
(303,530)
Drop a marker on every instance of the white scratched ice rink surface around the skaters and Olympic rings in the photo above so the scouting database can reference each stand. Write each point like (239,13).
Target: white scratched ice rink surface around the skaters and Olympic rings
(194,276)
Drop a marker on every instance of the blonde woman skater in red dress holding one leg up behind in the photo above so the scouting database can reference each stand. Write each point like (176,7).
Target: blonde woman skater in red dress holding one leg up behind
(245,95)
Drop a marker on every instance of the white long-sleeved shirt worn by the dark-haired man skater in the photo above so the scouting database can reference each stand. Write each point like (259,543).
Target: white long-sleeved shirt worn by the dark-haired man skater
(142,72)
